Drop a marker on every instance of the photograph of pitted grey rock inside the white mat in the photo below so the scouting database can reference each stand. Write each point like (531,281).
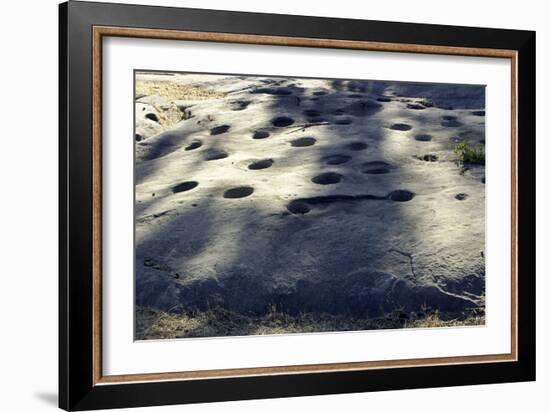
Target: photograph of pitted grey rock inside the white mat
(279,205)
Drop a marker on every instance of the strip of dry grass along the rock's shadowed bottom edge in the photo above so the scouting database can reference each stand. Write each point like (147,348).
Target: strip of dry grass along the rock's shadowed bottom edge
(153,324)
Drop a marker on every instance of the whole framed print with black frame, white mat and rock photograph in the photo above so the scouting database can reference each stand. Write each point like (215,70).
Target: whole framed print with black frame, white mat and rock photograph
(256,205)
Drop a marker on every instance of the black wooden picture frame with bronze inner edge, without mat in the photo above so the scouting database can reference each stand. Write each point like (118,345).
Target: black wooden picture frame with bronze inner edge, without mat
(83,26)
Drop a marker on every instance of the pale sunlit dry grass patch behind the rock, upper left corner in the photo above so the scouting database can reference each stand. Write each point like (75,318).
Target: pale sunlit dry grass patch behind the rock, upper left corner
(174,91)
